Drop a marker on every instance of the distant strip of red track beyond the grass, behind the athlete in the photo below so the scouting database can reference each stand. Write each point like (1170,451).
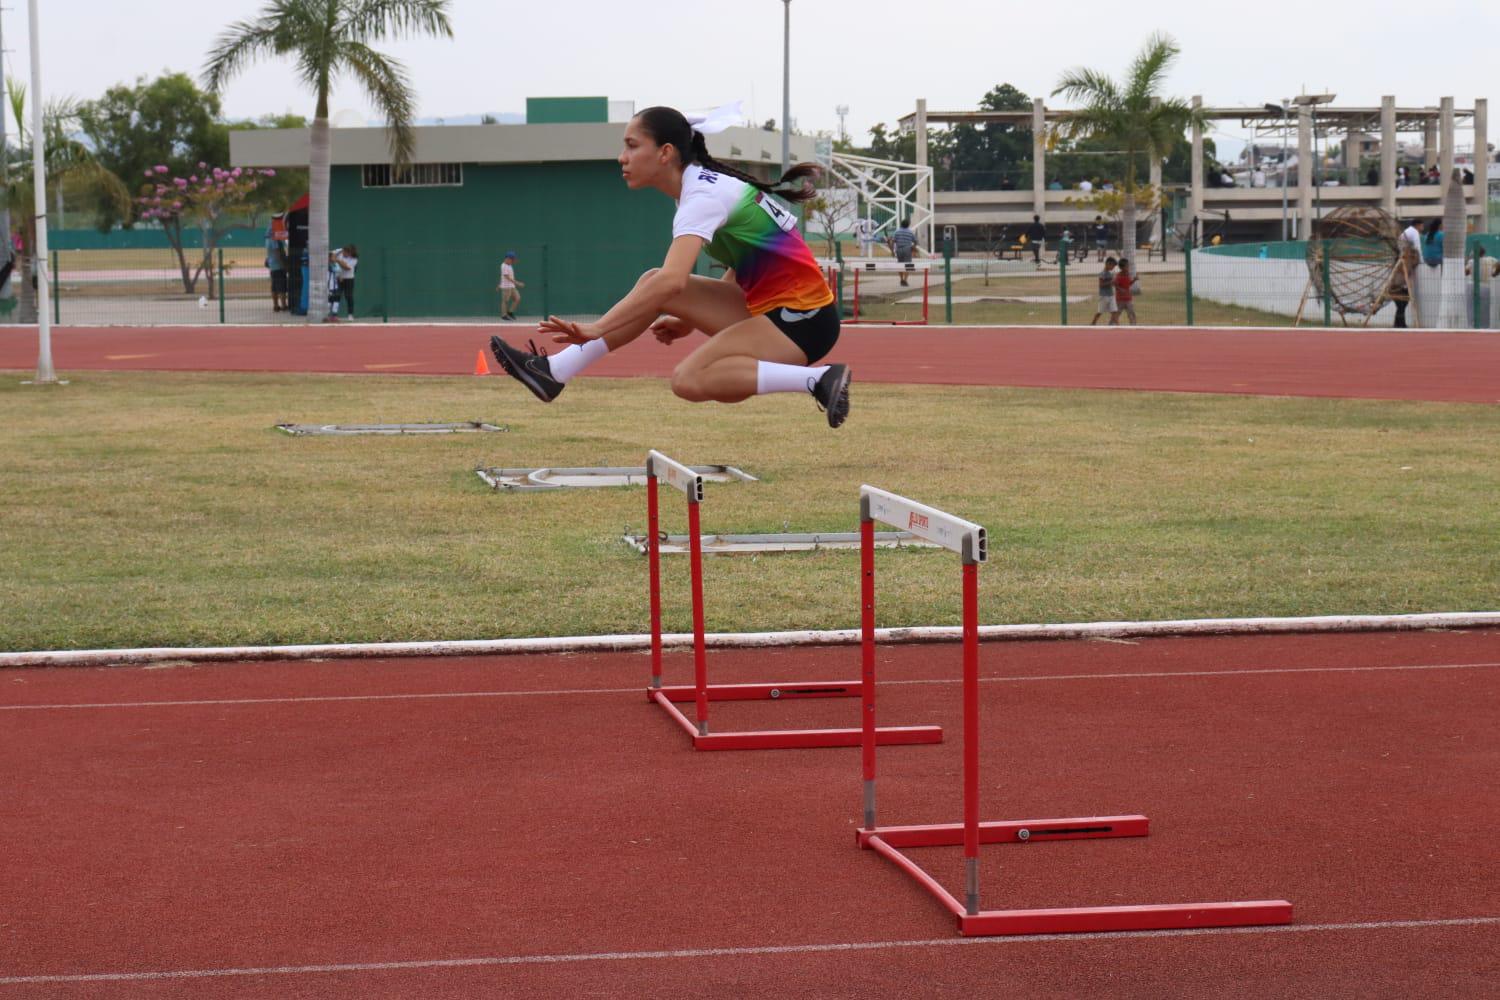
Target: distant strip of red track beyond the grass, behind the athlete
(1417,365)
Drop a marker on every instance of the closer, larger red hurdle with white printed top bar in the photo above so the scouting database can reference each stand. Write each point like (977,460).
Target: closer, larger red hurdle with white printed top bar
(970,542)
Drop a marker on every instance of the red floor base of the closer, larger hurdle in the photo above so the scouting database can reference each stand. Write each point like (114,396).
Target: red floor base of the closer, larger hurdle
(889,840)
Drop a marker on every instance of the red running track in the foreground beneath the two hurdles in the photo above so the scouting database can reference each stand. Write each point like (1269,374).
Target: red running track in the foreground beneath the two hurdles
(539,807)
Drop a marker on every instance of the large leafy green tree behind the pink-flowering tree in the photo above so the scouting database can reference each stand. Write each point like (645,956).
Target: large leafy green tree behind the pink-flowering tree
(136,127)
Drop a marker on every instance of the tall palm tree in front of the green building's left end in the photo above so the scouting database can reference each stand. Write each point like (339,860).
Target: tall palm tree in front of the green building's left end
(328,38)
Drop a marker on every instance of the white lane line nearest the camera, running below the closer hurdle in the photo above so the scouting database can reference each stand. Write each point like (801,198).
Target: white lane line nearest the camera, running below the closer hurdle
(740,953)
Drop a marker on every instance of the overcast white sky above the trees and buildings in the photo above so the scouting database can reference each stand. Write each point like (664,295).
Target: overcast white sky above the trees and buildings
(874,56)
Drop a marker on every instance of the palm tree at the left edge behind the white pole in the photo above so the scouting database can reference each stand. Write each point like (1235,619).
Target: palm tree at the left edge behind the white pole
(65,160)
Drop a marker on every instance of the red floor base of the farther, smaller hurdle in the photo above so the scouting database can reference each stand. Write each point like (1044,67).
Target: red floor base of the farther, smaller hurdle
(784,738)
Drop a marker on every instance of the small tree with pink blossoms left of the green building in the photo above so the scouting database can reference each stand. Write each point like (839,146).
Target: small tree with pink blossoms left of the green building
(206,200)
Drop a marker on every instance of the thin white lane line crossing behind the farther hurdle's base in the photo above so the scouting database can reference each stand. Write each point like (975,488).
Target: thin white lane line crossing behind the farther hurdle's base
(641,689)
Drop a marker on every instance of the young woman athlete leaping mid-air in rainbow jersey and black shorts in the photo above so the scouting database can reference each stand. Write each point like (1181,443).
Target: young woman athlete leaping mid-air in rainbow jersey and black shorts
(769,322)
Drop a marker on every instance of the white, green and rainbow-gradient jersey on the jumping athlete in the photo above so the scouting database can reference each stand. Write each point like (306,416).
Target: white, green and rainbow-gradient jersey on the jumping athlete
(757,236)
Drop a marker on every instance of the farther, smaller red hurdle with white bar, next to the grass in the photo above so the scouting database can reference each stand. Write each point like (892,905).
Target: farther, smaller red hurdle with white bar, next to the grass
(701,692)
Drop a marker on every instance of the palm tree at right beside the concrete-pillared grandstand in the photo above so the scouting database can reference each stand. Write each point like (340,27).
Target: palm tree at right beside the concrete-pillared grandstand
(1132,115)
